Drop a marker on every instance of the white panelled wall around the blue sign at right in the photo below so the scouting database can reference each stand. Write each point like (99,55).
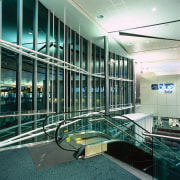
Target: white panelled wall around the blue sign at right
(157,102)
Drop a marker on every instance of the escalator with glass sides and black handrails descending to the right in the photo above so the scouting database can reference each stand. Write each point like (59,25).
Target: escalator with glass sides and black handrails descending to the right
(93,133)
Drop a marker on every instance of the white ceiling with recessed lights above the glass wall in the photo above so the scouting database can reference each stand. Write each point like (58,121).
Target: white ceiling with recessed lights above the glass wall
(155,18)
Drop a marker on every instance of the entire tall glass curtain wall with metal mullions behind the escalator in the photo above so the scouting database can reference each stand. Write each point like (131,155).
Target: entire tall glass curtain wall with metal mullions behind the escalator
(58,87)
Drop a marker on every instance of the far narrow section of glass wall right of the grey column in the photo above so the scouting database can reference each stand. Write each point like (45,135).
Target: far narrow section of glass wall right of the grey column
(121,83)
